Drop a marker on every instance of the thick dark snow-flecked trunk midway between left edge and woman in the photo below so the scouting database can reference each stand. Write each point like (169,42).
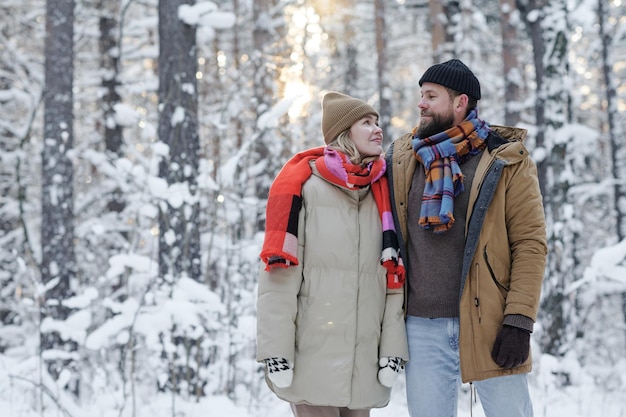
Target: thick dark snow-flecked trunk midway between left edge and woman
(179,241)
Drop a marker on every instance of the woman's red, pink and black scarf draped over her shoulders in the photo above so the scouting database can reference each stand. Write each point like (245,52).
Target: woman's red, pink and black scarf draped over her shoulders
(280,247)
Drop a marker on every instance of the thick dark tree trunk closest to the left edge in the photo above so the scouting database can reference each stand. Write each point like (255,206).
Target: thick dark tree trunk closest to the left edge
(58,259)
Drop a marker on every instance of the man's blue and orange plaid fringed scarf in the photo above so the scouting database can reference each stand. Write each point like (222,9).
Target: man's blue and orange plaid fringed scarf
(441,156)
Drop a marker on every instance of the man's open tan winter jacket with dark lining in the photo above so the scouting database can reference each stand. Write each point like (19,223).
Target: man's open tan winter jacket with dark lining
(505,248)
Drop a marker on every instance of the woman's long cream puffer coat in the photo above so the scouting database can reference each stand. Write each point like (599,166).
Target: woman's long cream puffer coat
(332,315)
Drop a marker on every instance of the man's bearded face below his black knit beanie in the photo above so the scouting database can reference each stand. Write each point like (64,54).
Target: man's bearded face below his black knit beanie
(436,110)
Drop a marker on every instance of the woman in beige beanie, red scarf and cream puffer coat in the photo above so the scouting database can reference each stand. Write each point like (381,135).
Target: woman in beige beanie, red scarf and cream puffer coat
(330,318)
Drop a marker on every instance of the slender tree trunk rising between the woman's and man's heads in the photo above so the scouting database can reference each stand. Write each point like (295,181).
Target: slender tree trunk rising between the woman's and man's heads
(384,91)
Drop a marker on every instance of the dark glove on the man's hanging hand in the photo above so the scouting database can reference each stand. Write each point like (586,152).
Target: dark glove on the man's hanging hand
(511,347)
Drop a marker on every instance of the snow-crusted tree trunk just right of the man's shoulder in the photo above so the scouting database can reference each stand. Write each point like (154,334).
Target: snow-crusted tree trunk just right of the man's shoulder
(548,30)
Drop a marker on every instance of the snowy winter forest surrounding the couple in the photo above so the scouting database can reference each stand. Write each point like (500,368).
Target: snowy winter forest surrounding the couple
(139,138)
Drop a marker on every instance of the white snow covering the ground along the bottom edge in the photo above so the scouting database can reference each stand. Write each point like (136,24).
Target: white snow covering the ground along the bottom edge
(585,394)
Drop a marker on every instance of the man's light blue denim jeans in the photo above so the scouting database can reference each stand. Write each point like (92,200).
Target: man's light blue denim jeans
(433,375)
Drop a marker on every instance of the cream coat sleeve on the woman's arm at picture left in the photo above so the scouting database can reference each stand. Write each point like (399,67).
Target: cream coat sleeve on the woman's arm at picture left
(277,306)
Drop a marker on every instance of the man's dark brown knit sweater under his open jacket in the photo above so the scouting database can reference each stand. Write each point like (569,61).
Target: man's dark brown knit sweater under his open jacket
(434,276)
